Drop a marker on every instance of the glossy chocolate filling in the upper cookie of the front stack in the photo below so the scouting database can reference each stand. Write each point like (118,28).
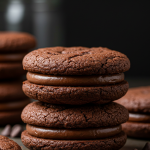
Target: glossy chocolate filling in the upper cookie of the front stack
(94,80)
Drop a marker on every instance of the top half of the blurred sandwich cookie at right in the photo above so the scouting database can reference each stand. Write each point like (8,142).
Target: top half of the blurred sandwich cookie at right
(137,100)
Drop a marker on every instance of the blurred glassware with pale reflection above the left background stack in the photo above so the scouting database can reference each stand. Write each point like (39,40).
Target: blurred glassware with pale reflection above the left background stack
(42,18)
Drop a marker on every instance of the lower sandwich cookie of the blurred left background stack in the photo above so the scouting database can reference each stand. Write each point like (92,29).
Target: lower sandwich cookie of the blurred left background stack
(12,101)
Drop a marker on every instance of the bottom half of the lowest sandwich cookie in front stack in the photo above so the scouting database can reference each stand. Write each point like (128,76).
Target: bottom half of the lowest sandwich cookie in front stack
(115,143)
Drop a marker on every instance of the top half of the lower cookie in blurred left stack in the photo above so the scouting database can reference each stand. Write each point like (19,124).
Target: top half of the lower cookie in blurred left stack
(11,91)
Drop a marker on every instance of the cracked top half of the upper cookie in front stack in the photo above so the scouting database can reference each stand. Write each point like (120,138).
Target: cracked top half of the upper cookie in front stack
(76,61)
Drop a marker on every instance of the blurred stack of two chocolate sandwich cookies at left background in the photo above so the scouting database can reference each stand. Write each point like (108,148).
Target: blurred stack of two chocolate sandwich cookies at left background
(13,47)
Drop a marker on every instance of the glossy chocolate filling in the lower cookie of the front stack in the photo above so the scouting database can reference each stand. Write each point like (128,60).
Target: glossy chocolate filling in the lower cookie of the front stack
(72,134)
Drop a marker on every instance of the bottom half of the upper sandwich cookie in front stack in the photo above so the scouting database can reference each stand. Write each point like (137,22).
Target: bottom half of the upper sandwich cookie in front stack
(75,95)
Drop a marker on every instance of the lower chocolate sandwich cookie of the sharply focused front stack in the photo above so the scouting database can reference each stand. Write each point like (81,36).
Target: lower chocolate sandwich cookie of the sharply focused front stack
(74,127)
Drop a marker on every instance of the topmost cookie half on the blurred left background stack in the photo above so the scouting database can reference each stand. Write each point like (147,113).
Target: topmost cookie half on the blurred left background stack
(16,42)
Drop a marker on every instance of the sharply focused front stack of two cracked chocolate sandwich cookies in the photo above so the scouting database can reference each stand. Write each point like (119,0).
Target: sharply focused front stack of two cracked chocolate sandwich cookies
(75,88)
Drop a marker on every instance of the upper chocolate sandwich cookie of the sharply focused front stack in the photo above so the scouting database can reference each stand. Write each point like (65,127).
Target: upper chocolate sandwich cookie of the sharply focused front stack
(75,75)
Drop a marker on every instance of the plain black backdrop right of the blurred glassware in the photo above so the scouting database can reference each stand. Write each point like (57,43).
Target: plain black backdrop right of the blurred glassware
(120,25)
